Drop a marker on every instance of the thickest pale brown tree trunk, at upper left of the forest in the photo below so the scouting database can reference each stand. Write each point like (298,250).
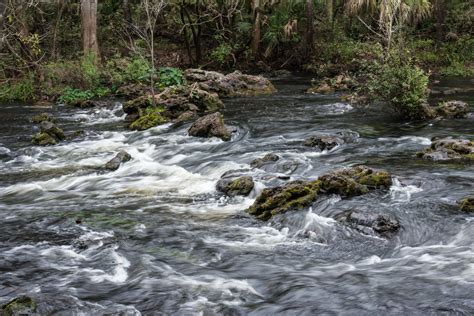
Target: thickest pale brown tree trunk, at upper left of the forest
(89,27)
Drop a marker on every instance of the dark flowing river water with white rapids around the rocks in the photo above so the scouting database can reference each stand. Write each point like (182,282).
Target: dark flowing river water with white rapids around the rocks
(154,236)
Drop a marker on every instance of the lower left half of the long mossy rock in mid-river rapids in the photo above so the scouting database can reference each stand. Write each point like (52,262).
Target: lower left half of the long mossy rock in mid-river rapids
(294,195)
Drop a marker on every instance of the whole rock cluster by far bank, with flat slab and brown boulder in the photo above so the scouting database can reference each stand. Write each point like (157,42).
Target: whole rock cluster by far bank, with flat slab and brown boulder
(199,98)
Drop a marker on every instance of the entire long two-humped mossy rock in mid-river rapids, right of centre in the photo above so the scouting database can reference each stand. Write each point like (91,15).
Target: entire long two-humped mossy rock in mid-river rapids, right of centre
(299,194)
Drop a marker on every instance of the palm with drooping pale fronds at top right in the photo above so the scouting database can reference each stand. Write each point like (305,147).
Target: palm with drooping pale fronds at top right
(392,14)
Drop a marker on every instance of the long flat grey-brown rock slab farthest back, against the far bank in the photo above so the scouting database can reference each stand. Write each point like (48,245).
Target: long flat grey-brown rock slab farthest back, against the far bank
(233,84)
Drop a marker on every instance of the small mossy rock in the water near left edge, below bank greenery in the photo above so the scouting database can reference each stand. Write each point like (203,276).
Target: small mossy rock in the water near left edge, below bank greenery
(50,133)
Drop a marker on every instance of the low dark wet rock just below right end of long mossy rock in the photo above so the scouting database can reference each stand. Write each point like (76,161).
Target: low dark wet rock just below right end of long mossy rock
(383,225)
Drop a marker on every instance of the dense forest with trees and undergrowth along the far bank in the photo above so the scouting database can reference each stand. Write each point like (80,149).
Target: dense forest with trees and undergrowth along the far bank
(76,50)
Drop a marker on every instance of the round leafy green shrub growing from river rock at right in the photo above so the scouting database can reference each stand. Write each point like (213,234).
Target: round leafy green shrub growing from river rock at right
(404,86)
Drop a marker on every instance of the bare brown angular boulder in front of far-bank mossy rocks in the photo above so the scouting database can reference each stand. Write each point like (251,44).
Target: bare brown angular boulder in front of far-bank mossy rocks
(211,125)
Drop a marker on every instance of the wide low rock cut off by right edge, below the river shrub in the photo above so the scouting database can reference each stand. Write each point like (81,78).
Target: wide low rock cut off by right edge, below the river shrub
(449,149)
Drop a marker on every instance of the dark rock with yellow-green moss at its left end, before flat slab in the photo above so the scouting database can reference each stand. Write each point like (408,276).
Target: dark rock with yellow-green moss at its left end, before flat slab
(170,105)
